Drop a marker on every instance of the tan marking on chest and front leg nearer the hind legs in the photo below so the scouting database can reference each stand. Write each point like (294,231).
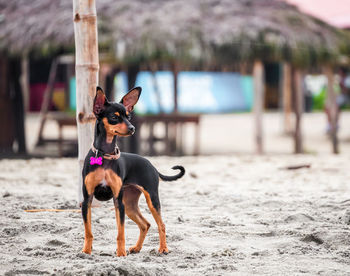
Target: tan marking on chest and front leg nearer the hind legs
(115,182)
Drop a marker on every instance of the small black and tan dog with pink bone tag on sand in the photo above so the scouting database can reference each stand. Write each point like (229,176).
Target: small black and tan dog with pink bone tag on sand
(107,174)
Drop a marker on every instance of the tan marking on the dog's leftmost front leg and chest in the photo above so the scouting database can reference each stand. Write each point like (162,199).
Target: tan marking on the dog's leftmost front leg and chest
(91,181)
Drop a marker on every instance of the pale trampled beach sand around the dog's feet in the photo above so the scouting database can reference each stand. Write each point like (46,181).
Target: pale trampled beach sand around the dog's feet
(230,215)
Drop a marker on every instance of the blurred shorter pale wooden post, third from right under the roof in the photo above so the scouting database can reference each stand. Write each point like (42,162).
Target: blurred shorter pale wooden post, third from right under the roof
(287,97)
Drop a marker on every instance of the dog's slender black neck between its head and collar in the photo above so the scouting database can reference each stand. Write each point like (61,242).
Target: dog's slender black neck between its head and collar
(102,141)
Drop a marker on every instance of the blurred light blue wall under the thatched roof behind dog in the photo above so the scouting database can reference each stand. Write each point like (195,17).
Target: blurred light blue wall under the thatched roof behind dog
(198,92)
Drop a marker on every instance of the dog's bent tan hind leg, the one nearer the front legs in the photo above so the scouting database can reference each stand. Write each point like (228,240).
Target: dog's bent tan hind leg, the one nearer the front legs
(131,197)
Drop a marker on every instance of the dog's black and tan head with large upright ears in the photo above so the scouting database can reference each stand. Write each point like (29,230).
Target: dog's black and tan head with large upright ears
(116,116)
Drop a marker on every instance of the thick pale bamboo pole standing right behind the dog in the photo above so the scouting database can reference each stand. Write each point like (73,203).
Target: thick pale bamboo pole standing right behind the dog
(86,71)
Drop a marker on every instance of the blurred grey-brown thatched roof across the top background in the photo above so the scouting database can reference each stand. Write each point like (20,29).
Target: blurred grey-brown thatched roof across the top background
(206,30)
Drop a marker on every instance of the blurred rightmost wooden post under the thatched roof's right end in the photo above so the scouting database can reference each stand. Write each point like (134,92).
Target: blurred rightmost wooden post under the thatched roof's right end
(333,108)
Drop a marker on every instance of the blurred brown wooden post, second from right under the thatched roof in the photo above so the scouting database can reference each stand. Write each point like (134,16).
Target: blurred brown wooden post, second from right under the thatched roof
(298,110)
